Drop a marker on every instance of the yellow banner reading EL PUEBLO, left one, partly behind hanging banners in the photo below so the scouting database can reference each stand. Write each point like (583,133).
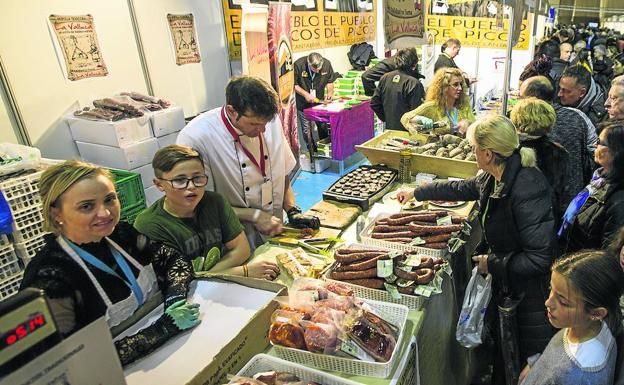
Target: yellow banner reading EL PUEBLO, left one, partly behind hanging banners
(314,23)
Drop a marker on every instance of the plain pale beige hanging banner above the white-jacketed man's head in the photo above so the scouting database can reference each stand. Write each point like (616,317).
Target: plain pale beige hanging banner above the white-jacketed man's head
(255,44)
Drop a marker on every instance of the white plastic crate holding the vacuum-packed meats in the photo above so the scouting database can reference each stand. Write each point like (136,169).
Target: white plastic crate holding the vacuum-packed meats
(397,315)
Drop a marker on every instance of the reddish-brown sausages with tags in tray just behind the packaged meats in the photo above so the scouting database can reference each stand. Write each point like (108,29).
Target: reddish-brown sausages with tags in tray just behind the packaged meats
(359,267)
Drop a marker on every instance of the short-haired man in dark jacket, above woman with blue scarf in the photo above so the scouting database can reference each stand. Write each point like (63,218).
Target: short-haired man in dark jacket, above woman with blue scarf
(578,89)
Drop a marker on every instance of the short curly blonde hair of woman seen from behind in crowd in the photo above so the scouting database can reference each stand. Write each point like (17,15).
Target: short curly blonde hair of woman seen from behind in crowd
(533,117)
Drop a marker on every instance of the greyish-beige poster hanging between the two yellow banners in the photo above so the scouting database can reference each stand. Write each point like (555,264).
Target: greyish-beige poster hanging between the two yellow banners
(404,23)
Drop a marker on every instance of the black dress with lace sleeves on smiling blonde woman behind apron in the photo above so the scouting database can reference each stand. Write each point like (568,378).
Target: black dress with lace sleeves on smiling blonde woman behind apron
(72,294)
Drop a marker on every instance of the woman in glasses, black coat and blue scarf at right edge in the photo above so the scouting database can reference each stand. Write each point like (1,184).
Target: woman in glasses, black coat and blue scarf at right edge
(597,213)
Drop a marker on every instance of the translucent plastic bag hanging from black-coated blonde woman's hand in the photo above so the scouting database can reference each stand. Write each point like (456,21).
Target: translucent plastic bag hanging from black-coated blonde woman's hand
(472,316)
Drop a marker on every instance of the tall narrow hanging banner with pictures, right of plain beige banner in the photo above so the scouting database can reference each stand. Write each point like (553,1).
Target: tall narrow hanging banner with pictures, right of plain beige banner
(282,73)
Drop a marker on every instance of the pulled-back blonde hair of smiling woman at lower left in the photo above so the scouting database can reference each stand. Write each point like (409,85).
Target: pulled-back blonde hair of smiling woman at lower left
(59,178)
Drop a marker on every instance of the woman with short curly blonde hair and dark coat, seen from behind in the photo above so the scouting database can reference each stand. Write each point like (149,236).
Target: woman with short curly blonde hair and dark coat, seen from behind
(534,119)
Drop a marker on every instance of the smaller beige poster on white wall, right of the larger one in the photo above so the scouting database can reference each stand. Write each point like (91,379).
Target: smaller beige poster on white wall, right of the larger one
(184,38)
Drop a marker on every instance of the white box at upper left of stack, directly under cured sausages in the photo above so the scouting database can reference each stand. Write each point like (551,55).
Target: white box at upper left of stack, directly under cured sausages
(117,134)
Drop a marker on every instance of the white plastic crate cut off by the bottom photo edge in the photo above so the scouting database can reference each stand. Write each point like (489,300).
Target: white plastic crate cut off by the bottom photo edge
(261,363)
